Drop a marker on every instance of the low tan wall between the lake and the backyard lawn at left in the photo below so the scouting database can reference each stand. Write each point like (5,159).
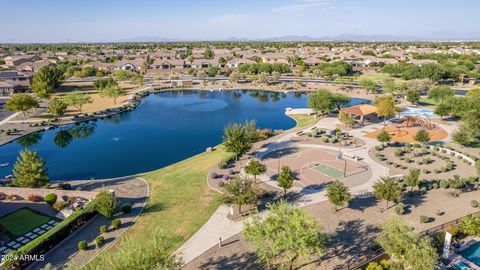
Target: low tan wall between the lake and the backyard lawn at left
(25,192)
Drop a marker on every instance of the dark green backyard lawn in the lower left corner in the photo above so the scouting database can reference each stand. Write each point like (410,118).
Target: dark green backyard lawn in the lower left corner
(22,221)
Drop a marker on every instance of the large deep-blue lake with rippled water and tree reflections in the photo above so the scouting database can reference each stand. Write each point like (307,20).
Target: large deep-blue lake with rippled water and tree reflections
(165,128)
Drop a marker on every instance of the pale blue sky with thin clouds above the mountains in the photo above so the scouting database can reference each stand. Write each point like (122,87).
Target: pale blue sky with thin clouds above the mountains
(113,20)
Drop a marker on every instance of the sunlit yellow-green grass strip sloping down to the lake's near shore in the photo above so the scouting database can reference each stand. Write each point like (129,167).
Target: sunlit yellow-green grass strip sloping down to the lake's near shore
(180,202)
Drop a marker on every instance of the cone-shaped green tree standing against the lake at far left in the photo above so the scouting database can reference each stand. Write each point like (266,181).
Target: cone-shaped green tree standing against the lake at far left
(30,170)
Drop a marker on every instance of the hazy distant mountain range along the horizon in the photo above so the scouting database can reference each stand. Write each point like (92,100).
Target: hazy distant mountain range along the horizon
(437,36)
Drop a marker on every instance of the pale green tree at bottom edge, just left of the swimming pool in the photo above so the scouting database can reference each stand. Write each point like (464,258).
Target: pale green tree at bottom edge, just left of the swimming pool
(406,247)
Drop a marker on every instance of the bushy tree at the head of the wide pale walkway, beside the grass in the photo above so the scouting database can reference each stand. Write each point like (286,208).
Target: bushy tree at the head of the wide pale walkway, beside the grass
(239,192)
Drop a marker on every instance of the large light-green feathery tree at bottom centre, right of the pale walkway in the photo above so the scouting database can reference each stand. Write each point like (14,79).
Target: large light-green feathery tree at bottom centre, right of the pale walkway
(285,236)
